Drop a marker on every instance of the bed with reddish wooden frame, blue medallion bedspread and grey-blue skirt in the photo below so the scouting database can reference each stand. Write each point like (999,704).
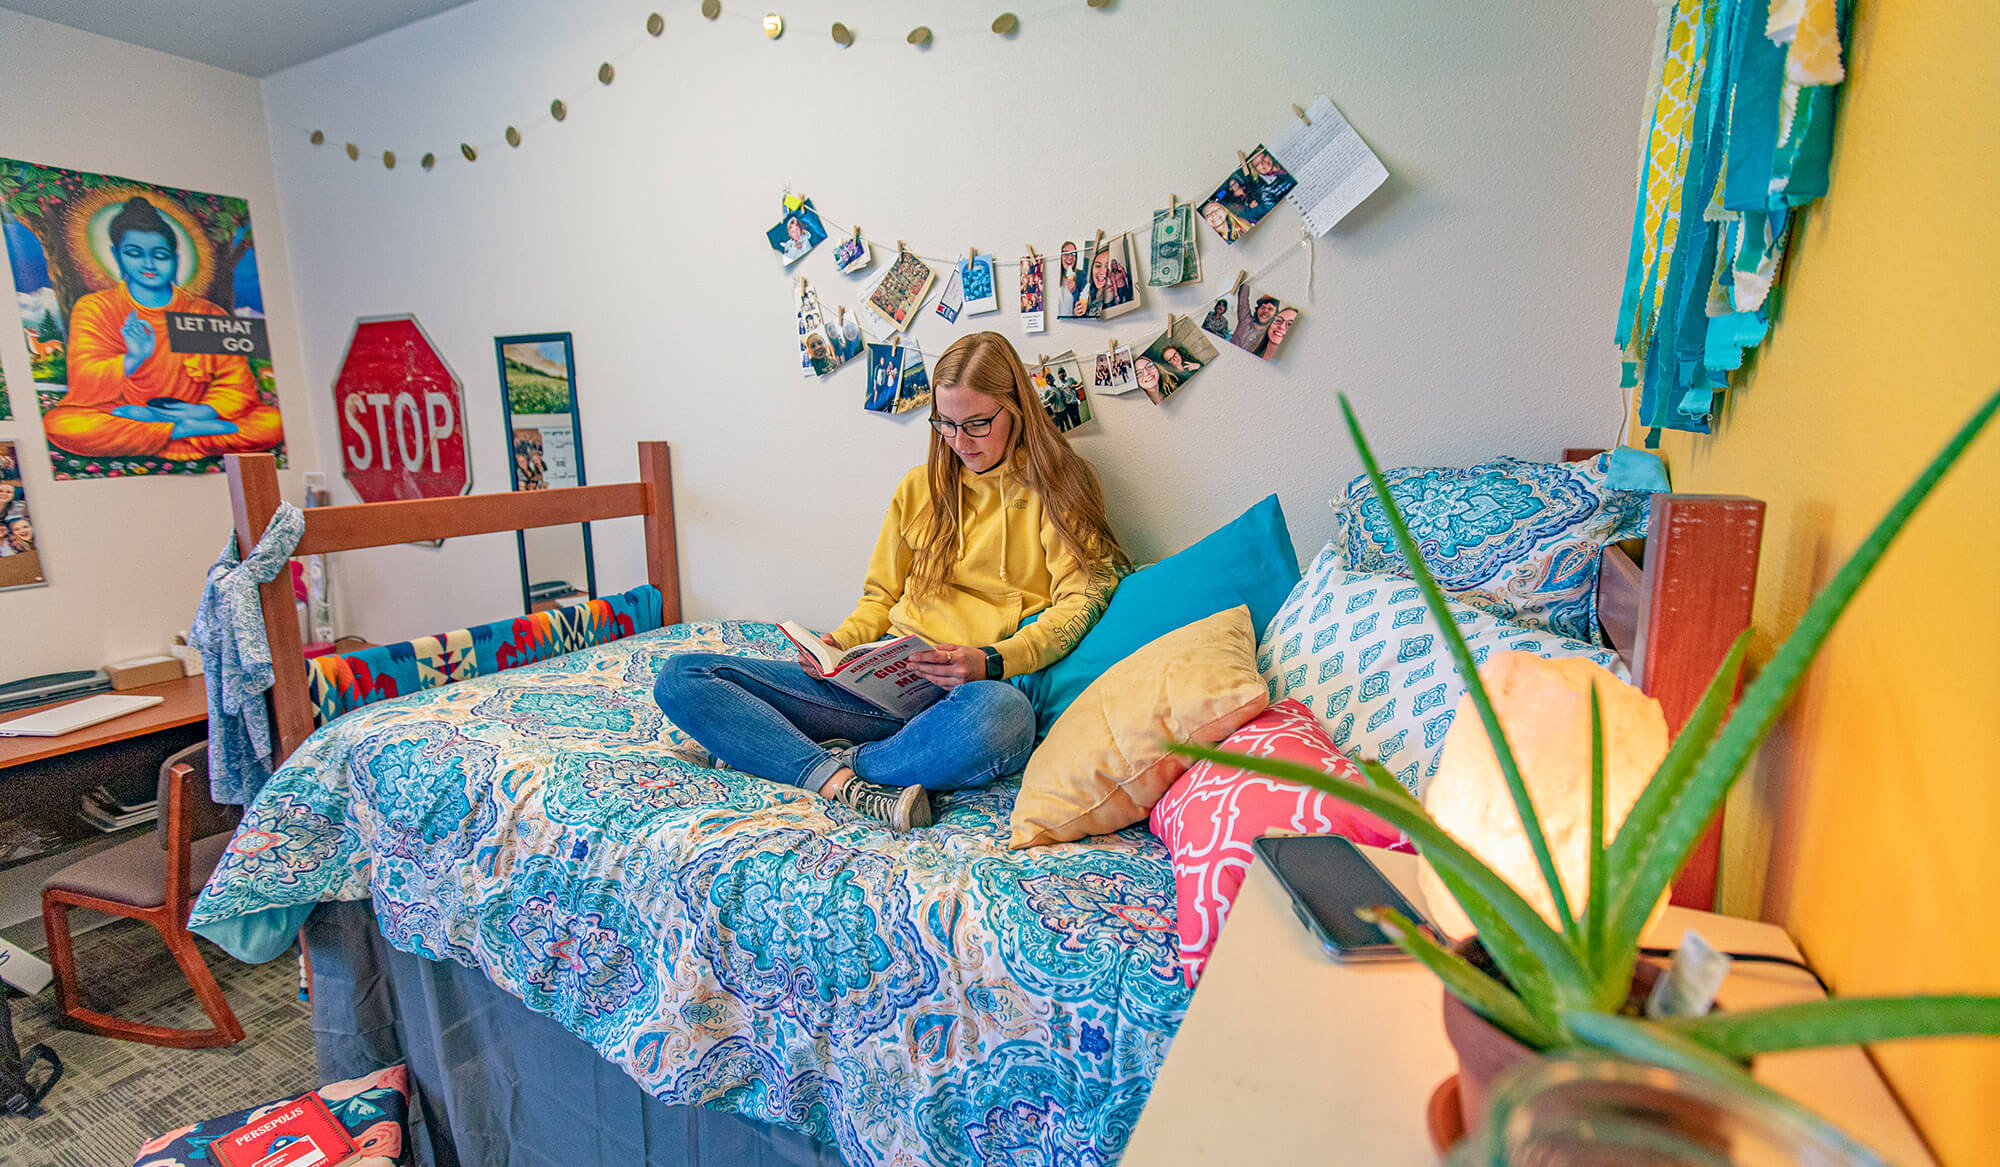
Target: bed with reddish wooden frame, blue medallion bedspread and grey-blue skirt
(593,946)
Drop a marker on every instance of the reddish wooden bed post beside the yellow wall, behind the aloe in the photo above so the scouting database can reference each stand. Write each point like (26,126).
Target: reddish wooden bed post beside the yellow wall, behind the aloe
(1701,583)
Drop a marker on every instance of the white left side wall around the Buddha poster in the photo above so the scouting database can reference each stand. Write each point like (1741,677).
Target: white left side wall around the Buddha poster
(127,559)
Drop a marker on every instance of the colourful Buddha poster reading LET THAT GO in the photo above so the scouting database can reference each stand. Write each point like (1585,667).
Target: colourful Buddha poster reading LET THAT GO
(145,323)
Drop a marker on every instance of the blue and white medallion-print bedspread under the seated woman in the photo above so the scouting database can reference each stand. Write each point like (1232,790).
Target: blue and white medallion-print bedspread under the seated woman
(737,944)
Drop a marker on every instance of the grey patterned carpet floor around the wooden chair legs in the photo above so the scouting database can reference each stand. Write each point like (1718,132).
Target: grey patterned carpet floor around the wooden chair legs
(119,1094)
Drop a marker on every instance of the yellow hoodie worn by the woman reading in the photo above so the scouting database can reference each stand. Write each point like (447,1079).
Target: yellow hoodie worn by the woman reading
(1011,567)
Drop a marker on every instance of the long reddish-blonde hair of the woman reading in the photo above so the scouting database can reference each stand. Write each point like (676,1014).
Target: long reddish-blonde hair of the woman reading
(1057,475)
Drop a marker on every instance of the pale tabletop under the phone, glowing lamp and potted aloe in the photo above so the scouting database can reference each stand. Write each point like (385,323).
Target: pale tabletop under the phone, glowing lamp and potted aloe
(1291,1058)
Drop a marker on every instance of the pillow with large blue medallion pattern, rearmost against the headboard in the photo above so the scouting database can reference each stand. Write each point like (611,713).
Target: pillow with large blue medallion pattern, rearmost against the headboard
(1515,539)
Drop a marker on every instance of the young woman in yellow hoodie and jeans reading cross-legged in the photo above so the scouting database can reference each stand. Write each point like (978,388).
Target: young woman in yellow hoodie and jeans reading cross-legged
(1003,523)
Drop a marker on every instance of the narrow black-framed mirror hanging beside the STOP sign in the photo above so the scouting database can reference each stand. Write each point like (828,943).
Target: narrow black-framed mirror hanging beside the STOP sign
(545,427)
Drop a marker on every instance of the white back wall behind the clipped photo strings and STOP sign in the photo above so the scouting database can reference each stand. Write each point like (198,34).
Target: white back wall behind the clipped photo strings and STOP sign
(1467,309)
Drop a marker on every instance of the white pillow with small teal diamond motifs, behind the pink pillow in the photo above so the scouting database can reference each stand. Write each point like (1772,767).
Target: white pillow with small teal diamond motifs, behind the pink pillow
(1363,652)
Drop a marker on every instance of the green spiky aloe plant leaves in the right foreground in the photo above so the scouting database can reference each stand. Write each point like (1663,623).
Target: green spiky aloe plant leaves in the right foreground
(1565,986)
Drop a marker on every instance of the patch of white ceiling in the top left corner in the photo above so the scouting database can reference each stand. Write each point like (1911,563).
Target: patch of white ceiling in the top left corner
(249,37)
